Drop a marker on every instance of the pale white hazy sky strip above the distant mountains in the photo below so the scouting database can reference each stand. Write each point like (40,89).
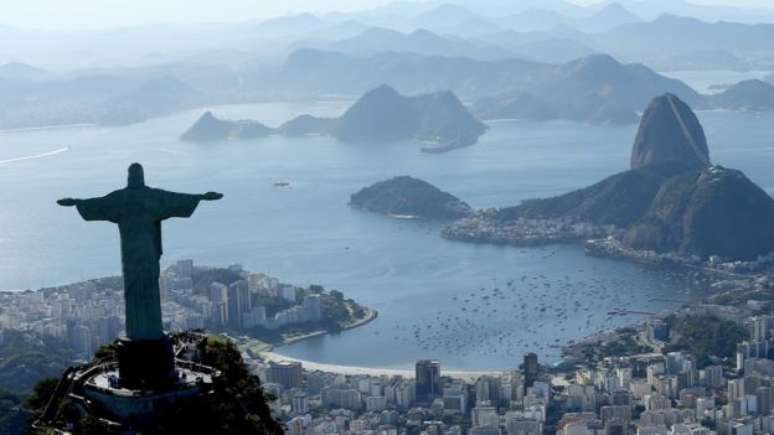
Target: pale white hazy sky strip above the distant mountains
(72,14)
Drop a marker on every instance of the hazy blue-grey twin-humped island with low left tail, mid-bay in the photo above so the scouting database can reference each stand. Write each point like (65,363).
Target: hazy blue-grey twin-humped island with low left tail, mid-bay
(438,120)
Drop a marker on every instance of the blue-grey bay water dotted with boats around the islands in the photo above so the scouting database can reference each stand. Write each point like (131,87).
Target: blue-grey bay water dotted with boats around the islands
(472,307)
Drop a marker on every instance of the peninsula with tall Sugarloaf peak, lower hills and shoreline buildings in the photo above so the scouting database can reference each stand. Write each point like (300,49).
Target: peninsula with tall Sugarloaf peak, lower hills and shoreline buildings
(672,202)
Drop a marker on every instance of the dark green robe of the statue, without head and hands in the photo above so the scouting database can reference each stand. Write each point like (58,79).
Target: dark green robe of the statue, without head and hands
(138,213)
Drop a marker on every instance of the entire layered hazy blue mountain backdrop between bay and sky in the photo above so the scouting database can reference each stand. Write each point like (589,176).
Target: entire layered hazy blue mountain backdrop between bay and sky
(538,60)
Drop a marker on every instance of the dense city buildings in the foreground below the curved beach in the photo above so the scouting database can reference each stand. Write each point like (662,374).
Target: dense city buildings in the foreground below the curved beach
(688,376)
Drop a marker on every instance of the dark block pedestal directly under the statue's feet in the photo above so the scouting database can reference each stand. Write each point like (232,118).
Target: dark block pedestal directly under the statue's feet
(146,364)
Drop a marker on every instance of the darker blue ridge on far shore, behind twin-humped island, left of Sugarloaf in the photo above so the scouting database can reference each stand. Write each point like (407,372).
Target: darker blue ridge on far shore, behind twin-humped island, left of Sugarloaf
(596,88)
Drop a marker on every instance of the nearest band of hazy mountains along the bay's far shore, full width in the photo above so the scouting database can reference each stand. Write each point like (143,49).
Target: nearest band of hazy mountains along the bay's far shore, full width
(595,88)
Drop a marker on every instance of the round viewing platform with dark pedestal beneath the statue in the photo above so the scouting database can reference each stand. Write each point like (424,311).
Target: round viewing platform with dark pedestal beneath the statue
(104,389)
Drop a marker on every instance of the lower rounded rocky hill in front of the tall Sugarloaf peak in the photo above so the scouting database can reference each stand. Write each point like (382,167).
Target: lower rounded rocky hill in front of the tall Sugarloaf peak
(715,211)
